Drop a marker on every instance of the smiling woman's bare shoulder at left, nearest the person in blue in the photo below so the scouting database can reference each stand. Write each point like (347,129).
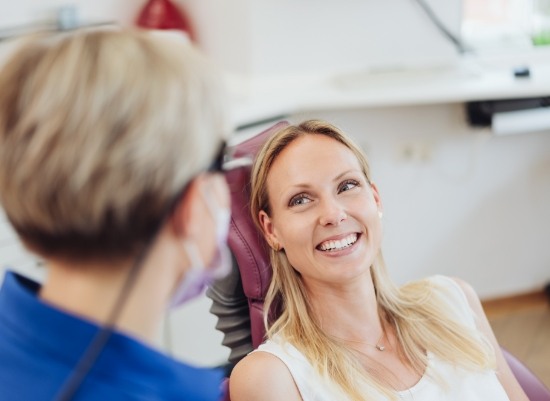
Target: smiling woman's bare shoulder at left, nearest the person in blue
(261,376)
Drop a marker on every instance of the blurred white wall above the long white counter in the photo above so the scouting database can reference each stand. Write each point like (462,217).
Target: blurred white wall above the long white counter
(322,36)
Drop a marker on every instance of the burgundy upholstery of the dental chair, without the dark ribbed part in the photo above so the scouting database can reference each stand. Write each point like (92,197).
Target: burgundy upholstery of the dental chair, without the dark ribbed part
(251,254)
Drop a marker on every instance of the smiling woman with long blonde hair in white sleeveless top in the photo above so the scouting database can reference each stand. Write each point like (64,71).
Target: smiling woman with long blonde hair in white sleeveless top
(345,331)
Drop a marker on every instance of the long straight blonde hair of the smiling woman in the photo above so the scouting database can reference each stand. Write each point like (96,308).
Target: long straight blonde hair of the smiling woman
(418,312)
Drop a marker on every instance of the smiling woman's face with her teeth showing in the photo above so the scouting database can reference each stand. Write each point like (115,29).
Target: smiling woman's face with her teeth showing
(324,213)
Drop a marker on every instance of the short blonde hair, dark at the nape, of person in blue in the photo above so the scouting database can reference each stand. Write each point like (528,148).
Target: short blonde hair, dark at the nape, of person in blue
(99,131)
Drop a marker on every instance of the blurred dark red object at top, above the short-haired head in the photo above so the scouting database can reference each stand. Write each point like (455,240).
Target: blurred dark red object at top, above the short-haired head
(164,14)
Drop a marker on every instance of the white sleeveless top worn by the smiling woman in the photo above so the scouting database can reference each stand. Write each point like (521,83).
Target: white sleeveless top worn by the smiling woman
(462,385)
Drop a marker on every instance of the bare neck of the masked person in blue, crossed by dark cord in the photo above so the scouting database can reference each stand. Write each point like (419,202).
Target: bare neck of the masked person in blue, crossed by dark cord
(91,290)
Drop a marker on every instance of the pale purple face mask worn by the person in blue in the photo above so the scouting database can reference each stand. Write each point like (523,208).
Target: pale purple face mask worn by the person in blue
(199,276)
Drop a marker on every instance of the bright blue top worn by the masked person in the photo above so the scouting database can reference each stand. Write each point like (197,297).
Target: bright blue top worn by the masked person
(40,345)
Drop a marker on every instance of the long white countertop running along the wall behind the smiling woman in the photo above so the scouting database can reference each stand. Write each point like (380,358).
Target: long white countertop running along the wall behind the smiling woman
(473,78)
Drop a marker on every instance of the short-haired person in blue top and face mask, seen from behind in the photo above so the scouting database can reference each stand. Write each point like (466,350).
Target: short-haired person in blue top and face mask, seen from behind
(110,153)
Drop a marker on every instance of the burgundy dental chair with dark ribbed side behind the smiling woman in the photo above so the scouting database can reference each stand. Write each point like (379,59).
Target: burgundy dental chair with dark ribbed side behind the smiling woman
(238,299)
